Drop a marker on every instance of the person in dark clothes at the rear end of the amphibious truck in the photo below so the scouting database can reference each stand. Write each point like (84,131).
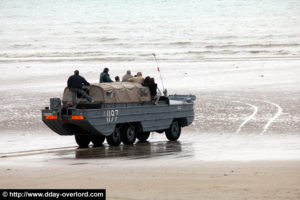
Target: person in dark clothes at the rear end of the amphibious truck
(75,83)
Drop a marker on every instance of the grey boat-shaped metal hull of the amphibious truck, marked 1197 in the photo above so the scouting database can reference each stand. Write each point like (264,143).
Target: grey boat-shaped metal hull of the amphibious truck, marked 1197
(104,120)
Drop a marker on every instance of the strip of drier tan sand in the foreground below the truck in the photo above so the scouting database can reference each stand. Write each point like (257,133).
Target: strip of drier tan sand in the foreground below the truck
(181,180)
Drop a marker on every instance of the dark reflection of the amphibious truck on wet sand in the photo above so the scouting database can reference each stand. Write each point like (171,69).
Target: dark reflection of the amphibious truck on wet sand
(137,151)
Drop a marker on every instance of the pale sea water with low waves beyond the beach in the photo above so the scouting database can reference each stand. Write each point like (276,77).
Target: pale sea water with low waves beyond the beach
(129,31)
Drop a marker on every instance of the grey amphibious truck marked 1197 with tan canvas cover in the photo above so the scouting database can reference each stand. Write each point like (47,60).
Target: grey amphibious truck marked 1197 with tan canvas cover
(121,112)
